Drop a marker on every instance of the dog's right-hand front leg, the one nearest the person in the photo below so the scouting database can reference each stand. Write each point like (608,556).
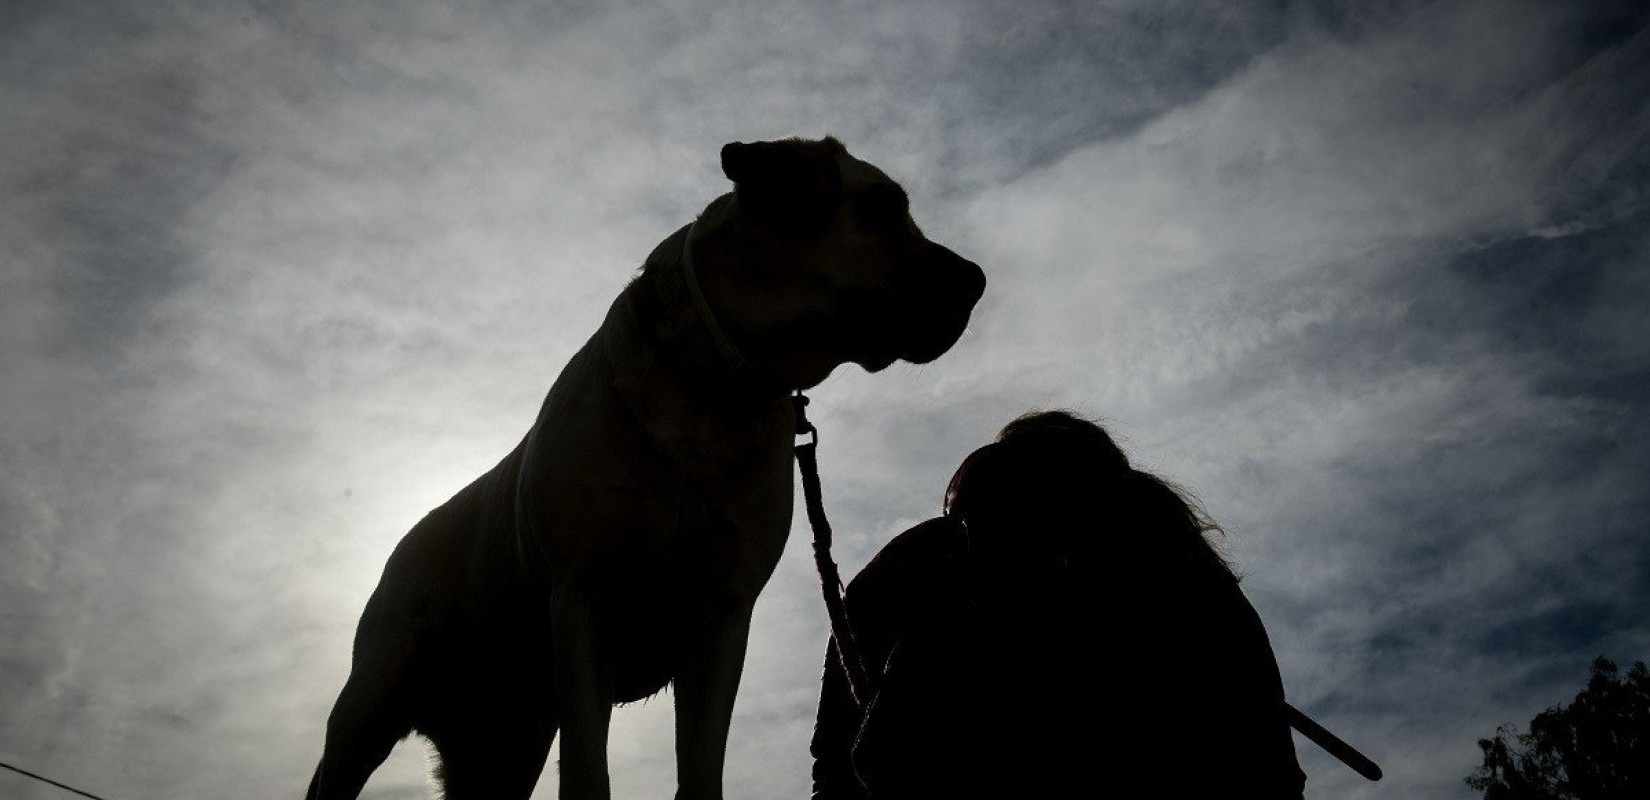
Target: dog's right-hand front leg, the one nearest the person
(705,692)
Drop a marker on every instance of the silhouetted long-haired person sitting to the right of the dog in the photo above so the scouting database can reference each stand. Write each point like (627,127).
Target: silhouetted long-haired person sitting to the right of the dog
(1065,629)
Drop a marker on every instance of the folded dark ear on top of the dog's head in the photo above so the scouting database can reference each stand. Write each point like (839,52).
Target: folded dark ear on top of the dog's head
(790,184)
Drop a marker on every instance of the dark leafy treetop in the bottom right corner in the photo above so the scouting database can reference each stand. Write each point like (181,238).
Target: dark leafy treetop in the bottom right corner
(1598,748)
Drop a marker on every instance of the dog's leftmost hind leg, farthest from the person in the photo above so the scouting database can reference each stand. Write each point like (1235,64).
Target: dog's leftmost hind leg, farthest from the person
(362,730)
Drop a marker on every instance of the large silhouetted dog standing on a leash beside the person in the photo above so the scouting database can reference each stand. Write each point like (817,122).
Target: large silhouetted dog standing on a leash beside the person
(621,547)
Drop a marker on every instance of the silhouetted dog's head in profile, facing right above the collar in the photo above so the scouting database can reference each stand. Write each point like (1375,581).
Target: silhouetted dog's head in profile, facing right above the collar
(814,261)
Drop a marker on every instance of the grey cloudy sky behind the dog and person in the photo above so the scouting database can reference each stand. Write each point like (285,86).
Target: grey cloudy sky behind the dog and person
(1372,280)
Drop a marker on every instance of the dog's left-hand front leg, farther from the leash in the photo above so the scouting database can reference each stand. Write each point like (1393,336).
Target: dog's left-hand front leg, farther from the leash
(583,692)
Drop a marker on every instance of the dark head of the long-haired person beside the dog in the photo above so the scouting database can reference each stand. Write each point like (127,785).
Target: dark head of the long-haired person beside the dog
(1057,489)
